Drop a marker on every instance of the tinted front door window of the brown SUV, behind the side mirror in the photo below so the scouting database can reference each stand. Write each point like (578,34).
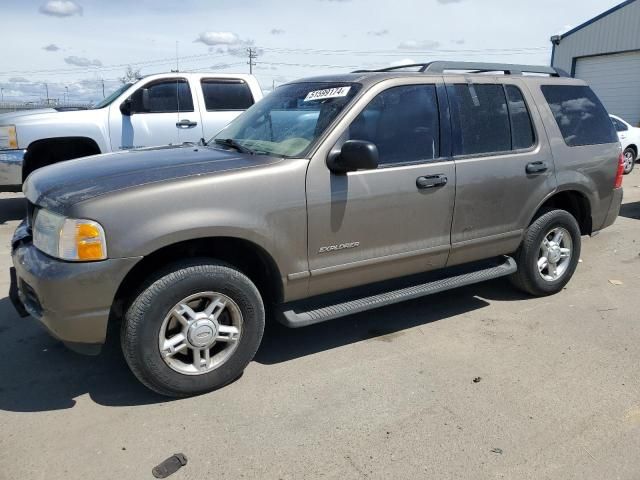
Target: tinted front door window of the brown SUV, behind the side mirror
(403,123)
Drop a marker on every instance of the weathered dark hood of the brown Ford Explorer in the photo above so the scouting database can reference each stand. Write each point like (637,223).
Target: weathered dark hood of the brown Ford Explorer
(74,181)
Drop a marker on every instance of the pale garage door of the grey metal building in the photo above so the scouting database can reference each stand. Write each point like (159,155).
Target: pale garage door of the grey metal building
(616,80)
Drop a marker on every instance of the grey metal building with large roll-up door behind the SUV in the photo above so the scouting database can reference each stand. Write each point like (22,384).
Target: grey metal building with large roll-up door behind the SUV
(605,51)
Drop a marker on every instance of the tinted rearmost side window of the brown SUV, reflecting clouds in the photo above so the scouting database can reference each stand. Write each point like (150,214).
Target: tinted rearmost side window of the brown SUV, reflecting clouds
(579,114)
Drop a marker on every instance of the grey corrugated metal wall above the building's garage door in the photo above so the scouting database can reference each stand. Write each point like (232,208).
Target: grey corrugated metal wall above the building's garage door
(617,32)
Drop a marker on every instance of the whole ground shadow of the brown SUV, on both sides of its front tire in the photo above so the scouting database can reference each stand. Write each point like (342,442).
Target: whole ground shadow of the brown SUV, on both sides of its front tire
(39,374)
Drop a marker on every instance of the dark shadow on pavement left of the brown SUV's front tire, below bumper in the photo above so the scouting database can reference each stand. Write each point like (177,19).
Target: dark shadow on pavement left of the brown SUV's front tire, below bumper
(39,373)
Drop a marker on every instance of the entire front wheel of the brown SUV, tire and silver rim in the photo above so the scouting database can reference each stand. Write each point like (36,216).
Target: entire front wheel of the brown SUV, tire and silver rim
(193,329)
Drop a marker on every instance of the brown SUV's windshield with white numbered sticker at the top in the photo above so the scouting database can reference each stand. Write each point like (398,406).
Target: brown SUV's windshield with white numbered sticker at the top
(289,120)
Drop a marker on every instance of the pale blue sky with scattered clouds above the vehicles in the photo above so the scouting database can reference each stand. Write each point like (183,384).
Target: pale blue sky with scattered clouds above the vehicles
(72,47)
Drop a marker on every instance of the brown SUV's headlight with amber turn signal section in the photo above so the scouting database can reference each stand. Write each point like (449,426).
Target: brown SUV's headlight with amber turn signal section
(68,238)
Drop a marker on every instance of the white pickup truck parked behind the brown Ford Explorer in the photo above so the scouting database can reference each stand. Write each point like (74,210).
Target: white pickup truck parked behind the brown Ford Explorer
(168,108)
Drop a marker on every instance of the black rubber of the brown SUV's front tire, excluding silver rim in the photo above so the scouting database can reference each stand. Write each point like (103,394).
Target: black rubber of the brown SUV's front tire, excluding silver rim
(144,317)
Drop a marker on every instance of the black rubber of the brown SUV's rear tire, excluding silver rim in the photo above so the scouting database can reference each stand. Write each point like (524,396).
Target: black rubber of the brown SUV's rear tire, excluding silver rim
(528,278)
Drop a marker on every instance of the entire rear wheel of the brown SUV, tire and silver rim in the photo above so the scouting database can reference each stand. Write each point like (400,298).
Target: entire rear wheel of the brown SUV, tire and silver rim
(549,254)
